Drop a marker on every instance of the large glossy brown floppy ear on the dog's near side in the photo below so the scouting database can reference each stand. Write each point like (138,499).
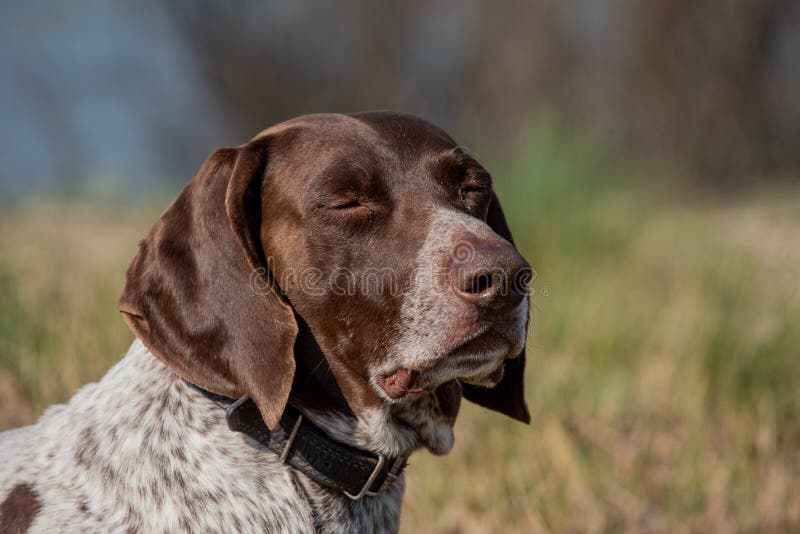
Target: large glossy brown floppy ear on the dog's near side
(190,295)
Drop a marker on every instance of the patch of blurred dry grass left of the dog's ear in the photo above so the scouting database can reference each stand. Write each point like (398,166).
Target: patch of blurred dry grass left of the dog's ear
(62,268)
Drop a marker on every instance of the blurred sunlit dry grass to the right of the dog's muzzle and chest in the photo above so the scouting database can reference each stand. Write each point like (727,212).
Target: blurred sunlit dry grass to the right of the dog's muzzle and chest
(663,380)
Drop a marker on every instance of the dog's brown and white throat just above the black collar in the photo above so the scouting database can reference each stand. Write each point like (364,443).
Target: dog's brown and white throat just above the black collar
(422,420)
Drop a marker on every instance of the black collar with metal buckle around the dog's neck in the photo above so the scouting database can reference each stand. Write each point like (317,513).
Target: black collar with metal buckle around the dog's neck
(301,444)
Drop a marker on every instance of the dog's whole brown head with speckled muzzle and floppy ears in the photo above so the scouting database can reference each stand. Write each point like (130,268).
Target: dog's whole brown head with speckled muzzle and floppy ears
(371,239)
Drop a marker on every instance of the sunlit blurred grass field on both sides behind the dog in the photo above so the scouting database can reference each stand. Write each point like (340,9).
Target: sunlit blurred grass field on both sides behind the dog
(664,356)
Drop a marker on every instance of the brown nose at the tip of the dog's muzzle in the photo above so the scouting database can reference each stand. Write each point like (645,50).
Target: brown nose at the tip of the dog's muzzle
(489,274)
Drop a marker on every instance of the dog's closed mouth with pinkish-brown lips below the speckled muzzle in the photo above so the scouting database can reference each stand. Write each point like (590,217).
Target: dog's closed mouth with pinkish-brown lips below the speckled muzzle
(478,359)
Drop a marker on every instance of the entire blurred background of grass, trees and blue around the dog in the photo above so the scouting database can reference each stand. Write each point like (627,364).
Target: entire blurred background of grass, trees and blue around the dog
(648,158)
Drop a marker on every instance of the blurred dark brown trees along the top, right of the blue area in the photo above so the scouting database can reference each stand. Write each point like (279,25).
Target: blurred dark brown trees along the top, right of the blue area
(706,83)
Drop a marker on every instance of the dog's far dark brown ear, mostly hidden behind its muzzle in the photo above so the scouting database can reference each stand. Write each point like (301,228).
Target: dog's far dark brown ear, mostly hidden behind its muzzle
(508,396)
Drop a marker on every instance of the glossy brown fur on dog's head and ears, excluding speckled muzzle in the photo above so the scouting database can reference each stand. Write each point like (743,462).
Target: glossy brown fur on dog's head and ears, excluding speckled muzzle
(263,209)
